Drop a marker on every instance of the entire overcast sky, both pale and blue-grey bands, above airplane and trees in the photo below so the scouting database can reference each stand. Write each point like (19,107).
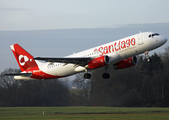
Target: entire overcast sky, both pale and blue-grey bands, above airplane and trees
(30,23)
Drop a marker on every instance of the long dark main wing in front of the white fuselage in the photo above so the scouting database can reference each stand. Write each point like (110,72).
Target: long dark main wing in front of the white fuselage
(74,60)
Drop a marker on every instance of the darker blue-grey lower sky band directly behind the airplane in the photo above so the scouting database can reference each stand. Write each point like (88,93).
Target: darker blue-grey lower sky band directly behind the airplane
(60,43)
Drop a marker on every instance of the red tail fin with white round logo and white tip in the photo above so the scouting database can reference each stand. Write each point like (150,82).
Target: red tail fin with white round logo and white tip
(24,59)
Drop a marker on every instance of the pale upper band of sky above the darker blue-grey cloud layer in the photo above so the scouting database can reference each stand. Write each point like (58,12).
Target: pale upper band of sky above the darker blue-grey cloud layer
(61,14)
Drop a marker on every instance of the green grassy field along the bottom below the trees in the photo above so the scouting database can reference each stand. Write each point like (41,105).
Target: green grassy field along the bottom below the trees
(83,113)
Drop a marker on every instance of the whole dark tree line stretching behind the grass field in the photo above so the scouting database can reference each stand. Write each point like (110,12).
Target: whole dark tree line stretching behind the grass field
(144,85)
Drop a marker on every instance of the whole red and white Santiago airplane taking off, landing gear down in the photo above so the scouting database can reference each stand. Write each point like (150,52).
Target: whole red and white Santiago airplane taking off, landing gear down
(119,54)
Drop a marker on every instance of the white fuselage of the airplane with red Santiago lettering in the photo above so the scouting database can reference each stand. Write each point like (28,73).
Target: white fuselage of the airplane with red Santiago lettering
(117,50)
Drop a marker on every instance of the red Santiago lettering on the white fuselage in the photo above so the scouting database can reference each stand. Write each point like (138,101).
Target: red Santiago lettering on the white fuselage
(120,45)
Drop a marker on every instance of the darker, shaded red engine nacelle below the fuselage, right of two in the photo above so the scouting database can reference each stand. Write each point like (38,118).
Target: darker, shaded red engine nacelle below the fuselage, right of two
(131,61)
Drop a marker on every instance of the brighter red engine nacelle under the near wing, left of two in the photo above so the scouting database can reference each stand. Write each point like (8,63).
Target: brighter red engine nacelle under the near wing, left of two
(98,62)
